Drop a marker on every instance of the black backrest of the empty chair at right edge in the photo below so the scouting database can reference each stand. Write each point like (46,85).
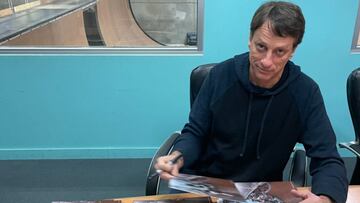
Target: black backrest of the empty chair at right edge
(353,96)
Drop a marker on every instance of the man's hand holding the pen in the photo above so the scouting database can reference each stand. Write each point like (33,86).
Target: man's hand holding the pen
(168,169)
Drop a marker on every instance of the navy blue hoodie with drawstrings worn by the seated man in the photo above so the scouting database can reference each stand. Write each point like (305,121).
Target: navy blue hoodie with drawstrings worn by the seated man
(242,132)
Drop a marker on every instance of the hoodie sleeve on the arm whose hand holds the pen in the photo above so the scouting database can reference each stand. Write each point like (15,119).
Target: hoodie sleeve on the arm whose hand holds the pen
(191,141)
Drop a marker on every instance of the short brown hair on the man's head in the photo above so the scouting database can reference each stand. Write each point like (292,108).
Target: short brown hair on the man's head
(285,19)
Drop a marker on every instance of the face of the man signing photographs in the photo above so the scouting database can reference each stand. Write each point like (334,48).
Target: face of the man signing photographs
(268,56)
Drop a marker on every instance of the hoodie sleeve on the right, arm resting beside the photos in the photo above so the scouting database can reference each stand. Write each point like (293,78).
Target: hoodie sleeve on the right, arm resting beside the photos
(326,167)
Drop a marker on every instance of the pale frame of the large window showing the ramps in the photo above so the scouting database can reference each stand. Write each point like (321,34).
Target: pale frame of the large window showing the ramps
(132,51)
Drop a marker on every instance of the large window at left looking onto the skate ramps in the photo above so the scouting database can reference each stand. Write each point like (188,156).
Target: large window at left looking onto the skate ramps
(101,26)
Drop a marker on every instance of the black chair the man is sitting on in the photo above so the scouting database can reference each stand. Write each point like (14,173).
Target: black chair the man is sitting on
(298,168)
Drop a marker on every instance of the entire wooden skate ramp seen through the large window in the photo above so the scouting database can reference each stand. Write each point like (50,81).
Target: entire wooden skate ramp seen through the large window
(62,24)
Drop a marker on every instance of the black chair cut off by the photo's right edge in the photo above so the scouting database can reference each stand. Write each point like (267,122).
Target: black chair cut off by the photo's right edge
(353,97)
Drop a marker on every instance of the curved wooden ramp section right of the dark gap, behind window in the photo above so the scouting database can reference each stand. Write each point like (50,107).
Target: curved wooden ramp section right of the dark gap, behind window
(118,26)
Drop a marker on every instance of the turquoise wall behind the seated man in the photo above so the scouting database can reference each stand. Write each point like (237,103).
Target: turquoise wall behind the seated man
(124,106)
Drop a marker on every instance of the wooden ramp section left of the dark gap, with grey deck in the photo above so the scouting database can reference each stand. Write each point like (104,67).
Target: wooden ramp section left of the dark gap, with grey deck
(53,23)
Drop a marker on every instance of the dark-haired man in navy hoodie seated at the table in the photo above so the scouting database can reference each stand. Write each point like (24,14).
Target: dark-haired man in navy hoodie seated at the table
(253,109)
